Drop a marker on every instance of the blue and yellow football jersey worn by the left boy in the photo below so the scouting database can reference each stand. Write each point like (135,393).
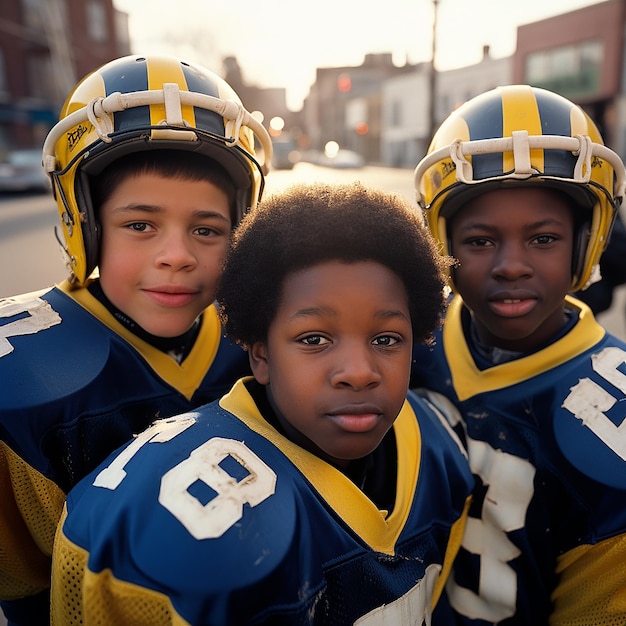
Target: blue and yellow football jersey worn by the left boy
(76,385)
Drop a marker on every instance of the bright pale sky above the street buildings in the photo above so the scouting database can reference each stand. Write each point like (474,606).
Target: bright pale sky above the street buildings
(280,43)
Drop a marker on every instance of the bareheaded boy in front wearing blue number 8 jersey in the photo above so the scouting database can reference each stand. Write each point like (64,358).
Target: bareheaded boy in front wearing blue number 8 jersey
(316,492)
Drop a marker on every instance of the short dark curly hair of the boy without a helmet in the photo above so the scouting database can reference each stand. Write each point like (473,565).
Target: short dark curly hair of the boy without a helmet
(311,224)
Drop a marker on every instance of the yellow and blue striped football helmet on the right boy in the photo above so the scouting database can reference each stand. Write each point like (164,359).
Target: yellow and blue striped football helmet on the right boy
(515,136)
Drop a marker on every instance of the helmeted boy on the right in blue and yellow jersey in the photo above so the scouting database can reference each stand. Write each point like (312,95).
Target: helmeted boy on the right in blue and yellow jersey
(520,189)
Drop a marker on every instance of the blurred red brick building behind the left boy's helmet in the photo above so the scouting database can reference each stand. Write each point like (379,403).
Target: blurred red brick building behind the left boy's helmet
(45,47)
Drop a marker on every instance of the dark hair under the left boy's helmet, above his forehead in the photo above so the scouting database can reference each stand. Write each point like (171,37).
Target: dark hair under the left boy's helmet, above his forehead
(175,164)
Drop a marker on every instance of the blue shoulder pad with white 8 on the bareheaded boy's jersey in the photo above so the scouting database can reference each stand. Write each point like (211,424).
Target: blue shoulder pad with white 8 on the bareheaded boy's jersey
(205,482)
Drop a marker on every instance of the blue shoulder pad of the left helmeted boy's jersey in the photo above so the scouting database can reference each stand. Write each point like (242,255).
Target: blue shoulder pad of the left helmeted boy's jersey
(49,348)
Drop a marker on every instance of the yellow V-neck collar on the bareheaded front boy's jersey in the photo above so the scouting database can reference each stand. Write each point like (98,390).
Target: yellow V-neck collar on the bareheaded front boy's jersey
(373,526)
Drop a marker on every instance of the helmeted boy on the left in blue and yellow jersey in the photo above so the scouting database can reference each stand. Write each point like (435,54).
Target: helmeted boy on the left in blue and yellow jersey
(152,164)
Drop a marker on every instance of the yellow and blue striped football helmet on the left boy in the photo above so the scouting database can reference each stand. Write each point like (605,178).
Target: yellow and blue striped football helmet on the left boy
(138,103)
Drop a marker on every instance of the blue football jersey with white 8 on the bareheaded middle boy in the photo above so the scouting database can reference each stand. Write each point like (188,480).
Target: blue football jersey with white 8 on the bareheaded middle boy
(214,517)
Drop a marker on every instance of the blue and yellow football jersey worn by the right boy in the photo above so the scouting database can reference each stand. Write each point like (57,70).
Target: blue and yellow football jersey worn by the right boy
(546,538)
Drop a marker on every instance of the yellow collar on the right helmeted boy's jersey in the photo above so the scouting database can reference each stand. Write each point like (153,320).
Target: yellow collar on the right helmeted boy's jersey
(469,381)
